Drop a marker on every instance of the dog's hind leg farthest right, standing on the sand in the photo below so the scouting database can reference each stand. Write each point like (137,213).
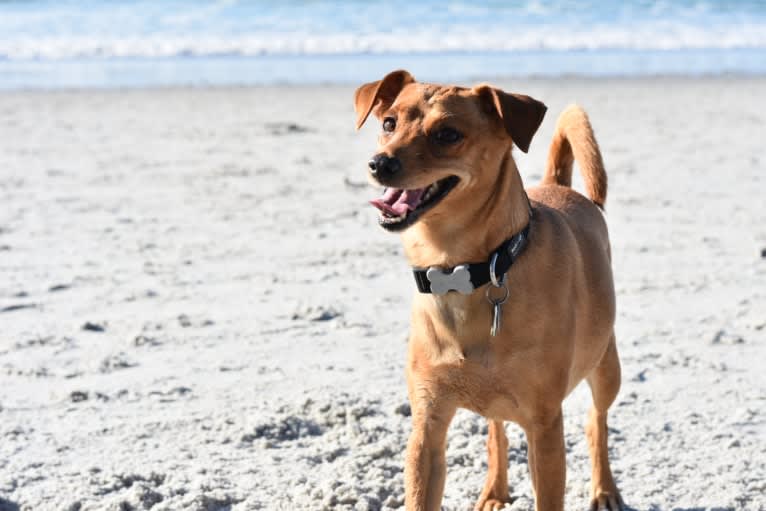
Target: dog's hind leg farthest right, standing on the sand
(604,384)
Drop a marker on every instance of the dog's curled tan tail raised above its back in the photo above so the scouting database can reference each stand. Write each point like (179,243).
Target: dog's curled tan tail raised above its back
(574,140)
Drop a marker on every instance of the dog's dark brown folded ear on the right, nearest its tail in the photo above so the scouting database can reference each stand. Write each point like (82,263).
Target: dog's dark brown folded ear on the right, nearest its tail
(521,115)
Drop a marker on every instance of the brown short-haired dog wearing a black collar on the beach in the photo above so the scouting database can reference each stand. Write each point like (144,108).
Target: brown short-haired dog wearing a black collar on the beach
(456,195)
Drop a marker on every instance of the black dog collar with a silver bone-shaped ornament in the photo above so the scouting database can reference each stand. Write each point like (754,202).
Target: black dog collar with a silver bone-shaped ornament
(466,278)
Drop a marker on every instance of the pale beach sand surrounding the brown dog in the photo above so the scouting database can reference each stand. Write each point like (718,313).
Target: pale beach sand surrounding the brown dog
(198,310)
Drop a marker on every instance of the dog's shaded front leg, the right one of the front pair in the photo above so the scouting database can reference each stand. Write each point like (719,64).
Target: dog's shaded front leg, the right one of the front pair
(547,463)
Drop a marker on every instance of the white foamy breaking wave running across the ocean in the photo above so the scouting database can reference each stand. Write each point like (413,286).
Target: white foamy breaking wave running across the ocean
(606,38)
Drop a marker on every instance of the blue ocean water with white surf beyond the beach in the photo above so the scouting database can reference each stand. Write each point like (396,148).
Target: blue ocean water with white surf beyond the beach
(89,43)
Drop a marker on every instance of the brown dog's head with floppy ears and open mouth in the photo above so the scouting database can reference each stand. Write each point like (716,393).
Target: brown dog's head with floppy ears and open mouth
(439,143)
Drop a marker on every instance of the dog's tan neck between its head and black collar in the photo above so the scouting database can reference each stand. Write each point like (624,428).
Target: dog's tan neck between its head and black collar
(479,227)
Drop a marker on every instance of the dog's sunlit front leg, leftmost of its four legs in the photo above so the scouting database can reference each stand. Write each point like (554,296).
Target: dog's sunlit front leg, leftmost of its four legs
(426,467)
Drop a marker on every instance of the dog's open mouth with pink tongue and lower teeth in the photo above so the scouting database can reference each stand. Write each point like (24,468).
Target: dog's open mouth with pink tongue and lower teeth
(401,208)
